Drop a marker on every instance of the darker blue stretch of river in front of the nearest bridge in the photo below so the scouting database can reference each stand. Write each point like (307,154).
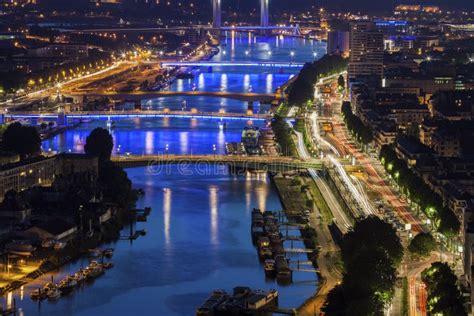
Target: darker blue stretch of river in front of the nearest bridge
(198,240)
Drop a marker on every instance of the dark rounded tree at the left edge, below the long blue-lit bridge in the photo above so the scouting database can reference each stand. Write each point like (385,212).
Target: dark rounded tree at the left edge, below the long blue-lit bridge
(23,140)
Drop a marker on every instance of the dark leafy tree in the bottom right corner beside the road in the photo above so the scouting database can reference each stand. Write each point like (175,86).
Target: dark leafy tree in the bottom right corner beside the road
(444,296)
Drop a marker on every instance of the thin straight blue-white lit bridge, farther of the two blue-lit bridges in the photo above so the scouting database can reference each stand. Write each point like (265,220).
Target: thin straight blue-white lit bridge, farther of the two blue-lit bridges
(232,64)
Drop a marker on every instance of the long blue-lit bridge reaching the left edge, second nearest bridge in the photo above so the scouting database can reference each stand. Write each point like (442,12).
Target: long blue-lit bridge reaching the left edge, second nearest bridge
(63,117)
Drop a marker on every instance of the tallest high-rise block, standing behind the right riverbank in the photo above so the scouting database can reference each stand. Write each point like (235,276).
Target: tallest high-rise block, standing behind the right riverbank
(366,51)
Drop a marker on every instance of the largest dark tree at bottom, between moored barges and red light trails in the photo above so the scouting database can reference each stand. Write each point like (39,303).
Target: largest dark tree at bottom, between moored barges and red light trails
(371,253)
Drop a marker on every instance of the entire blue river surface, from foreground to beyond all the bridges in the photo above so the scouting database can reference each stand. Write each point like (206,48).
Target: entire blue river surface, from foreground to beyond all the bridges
(199,230)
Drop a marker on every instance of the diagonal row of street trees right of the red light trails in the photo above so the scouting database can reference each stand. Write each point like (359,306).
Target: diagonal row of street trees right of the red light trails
(419,192)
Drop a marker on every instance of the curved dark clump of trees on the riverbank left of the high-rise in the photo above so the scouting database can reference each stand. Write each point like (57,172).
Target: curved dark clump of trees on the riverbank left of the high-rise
(302,89)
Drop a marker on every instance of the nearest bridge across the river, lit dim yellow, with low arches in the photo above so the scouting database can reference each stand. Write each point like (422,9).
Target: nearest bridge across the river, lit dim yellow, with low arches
(208,163)
